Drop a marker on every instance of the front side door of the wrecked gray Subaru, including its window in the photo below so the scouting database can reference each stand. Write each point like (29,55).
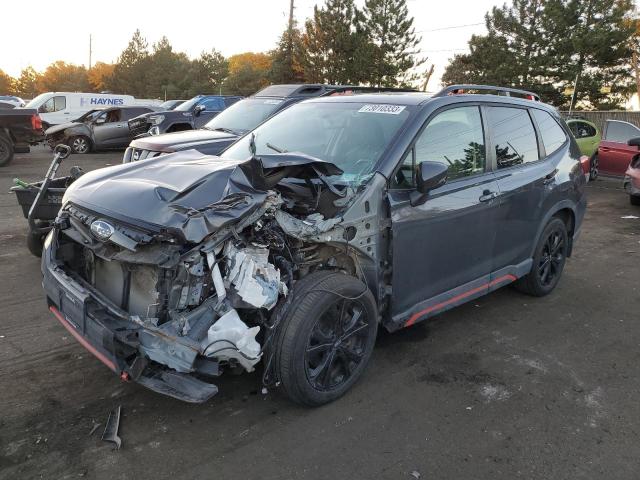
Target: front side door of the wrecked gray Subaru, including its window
(442,248)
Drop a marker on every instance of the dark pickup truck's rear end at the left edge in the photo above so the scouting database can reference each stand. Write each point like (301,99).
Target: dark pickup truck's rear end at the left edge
(19,128)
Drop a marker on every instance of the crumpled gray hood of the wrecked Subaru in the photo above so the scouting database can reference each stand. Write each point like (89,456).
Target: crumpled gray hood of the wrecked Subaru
(188,193)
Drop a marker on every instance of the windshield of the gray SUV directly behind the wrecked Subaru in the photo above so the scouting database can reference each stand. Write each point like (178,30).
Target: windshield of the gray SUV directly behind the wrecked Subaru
(244,115)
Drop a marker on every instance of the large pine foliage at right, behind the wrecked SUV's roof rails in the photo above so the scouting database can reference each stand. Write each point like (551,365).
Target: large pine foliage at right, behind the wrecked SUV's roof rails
(542,45)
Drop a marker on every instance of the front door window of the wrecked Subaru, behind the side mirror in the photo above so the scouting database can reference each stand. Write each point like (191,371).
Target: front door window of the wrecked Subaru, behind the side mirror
(455,138)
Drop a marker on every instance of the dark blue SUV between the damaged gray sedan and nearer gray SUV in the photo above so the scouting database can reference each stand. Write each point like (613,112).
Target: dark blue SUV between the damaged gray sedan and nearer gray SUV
(189,115)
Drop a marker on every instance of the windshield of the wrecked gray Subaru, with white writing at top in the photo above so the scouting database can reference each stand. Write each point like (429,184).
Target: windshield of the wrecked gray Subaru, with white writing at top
(351,135)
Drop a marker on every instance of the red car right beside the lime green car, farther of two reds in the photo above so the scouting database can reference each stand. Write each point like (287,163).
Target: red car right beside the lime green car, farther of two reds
(614,152)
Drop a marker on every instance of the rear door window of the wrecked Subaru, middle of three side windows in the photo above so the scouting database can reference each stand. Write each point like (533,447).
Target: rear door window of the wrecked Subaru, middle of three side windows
(513,135)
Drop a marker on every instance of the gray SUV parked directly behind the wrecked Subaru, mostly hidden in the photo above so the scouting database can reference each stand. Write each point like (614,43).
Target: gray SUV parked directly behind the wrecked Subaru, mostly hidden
(243,116)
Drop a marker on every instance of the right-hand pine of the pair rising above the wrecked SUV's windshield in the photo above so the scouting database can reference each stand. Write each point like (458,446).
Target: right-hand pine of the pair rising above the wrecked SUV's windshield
(390,29)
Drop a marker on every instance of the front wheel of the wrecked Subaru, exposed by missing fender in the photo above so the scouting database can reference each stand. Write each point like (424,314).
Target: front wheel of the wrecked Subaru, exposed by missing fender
(325,338)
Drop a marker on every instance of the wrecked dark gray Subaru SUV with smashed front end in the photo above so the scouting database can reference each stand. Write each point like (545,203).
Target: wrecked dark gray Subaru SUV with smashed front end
(289,249)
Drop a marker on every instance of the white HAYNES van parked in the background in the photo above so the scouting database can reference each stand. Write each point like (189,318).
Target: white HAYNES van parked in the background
(63,107)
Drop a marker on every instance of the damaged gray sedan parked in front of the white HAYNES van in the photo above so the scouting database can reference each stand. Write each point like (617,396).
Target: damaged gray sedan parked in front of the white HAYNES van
(99,129)
